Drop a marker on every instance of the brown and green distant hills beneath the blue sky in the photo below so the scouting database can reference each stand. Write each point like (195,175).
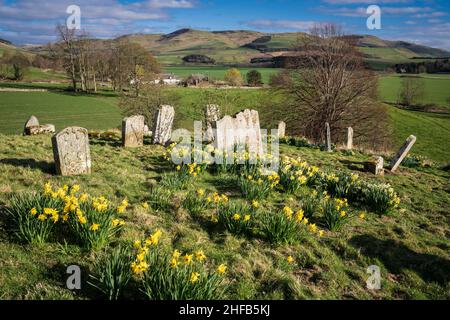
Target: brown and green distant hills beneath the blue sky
(242,46)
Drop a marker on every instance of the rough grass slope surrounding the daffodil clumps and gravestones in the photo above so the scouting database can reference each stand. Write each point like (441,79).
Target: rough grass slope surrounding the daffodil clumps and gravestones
(410,247)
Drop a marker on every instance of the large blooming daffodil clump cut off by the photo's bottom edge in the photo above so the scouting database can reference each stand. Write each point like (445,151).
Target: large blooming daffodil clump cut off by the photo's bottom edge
(176,275)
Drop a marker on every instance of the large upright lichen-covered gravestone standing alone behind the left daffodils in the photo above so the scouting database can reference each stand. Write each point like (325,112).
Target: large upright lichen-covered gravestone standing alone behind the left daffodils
(71,152)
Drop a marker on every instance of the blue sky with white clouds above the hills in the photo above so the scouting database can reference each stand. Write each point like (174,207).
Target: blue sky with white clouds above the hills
(33,22)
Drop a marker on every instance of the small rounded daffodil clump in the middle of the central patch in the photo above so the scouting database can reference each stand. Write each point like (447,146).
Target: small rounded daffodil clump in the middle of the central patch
(258,187)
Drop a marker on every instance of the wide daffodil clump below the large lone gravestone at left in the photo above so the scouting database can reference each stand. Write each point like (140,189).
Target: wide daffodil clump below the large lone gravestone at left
(92,221)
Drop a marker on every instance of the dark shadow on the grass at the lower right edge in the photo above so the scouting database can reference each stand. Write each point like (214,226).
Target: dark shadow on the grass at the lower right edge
(397,257)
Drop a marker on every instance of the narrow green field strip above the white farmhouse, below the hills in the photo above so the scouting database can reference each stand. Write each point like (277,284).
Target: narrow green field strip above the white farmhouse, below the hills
(218,73)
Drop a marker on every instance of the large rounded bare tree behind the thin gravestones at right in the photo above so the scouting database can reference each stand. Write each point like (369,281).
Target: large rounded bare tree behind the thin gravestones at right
(329,83)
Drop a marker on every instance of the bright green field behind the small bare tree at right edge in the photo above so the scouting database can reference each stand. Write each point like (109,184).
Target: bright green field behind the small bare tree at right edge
(437,89)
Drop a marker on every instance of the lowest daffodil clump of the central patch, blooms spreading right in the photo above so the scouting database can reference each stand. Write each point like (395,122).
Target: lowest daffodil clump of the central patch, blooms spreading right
(287,227)
